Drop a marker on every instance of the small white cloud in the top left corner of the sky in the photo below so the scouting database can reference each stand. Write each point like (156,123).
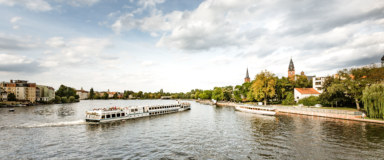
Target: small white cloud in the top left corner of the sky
(34,5)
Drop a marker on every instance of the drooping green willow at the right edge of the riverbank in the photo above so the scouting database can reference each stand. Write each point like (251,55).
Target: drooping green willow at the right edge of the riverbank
(373,98)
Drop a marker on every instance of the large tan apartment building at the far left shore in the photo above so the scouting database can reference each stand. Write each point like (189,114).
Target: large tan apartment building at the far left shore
(23,90)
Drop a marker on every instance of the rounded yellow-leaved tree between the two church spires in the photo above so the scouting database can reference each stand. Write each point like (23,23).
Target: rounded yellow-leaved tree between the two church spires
(263,86)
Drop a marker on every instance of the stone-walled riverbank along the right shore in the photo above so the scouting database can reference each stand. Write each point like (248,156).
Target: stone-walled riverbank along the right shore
(353,115)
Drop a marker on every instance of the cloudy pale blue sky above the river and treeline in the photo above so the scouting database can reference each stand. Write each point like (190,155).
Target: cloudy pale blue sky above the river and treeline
(179,45)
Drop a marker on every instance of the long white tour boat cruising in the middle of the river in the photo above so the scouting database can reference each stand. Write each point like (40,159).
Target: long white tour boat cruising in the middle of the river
(121,113)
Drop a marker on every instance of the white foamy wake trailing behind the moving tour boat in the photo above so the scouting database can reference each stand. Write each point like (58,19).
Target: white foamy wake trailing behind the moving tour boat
(54,124)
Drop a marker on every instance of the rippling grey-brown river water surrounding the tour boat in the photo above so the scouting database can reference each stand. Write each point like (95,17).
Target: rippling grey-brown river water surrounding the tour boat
(204,132)
